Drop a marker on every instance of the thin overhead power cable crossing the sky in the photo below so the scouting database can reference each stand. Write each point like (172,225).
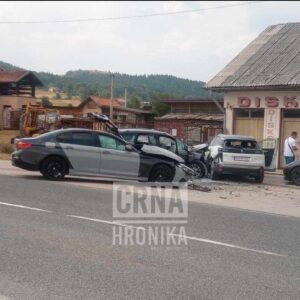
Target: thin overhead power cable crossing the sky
(129,17)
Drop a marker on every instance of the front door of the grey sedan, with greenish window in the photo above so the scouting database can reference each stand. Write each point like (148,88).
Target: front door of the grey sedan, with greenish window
(116,161)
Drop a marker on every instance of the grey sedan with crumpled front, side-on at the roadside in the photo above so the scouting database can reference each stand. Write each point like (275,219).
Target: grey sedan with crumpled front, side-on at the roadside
(93,153)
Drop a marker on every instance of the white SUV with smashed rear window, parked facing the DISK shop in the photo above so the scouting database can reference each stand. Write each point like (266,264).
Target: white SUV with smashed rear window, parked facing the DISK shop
(235,155)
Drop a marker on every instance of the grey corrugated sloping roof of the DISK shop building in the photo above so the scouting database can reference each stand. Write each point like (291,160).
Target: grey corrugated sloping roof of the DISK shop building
(271,60)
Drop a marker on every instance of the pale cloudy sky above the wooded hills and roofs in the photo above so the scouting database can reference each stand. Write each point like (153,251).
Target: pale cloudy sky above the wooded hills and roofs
(194,45)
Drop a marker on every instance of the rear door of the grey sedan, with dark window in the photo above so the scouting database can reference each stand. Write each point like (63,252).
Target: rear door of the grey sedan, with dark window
(82,151)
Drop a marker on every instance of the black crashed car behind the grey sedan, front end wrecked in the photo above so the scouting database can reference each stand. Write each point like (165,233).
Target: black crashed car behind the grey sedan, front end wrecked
(193,157)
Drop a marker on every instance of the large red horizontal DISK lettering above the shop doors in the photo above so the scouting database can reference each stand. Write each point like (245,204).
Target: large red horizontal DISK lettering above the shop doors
(269,101)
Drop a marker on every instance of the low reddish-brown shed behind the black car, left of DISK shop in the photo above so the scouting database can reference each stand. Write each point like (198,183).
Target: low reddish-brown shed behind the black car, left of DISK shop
(194,121)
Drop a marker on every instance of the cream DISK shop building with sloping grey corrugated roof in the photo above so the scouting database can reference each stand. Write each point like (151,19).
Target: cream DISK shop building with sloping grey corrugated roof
(261,87)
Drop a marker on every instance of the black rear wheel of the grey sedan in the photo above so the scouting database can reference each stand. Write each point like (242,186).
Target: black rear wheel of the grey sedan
(54,168)
